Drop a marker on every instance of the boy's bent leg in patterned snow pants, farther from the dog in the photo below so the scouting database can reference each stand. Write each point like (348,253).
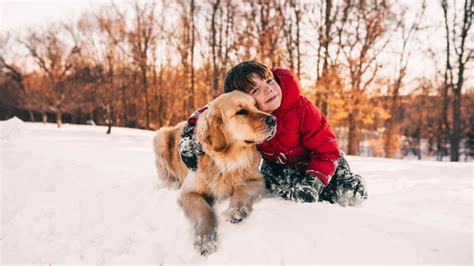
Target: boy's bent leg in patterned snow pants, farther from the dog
(345,188)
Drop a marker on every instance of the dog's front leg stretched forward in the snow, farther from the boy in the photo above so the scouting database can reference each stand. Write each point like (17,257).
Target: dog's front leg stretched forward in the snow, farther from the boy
(199,211)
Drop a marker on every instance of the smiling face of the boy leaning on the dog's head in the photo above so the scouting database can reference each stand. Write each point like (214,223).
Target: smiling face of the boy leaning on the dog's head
(267,94)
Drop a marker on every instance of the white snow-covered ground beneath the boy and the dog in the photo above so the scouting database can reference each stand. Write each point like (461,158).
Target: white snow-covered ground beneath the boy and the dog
(77,195)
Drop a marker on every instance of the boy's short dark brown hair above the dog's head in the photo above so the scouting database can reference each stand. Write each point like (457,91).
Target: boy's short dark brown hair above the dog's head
(240,76)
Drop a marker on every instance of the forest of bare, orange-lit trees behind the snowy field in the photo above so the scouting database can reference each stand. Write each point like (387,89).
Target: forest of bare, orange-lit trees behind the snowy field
(393,77)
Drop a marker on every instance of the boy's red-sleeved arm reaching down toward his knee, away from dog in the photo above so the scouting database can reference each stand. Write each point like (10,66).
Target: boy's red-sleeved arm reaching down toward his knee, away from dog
(319,139)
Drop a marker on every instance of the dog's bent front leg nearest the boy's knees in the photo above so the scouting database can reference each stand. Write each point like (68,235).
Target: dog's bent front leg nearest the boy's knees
(241,201)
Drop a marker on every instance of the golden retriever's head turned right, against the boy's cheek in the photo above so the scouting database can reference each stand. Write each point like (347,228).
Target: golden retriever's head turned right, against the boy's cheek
(233,119)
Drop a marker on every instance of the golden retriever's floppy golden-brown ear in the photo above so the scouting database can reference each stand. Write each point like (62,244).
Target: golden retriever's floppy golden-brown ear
(211,131)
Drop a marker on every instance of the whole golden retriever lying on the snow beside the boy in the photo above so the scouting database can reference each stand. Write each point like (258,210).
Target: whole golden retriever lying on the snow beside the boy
(228,131)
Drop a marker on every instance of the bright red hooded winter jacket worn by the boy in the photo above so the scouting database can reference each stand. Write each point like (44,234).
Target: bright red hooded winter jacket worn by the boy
(304,139)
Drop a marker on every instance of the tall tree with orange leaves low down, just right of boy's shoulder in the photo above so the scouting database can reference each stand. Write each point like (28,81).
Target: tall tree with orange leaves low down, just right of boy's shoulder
(363,41)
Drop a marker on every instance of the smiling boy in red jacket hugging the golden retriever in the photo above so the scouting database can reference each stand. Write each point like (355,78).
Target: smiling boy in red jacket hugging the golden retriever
(302,161)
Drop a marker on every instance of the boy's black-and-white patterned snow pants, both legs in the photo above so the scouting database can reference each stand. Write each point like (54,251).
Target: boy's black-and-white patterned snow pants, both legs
(345,188)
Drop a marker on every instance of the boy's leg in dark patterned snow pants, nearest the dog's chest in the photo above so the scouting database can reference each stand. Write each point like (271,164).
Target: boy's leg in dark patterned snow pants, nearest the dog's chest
(282,181)
